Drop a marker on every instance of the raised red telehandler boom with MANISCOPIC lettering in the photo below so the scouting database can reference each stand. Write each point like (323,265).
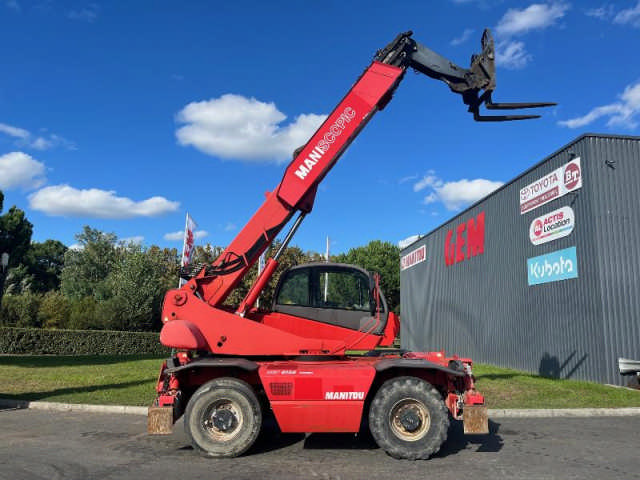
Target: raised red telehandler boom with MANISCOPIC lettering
(297,189)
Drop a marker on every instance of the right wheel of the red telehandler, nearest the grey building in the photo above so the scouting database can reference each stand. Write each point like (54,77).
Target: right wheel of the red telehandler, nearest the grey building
(408,418)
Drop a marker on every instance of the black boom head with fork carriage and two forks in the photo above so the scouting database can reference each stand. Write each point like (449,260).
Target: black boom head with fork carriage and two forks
(476,84)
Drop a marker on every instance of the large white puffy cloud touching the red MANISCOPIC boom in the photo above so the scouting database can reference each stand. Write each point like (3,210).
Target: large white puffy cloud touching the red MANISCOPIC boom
(239,128)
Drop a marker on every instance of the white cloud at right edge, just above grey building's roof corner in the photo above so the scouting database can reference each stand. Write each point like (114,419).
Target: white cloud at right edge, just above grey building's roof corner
(623,113)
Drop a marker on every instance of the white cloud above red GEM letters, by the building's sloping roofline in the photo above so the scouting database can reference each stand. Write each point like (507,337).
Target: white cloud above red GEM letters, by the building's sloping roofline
(455,195)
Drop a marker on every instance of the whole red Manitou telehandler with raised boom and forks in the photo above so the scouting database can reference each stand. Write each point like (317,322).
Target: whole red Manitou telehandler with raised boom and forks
(233,366)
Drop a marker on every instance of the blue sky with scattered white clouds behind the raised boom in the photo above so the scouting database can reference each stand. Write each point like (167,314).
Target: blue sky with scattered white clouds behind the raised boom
(126,115)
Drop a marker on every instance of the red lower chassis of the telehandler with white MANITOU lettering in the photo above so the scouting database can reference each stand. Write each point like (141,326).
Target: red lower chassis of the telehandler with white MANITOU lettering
(323,395)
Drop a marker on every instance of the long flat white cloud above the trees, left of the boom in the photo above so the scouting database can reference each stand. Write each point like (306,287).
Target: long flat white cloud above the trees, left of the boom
(66,201)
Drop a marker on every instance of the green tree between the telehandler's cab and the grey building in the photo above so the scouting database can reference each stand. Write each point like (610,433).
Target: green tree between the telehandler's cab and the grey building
(381,257)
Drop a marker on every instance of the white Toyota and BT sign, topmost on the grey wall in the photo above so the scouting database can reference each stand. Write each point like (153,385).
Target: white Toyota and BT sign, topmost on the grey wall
(554,185)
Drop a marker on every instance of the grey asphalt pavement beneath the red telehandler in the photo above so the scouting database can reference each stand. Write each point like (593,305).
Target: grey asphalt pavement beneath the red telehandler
(53,445)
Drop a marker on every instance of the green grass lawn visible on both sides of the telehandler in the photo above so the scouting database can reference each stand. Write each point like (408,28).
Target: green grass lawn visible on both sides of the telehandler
(130,380)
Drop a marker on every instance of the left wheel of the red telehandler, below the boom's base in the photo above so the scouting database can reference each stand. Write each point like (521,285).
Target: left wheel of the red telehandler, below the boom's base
(223,418)
